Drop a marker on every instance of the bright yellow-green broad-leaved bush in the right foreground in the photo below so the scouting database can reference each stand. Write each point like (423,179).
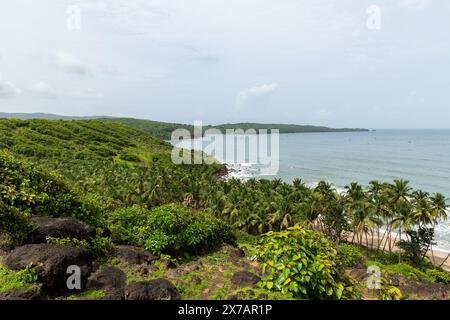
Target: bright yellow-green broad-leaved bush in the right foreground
(303,263)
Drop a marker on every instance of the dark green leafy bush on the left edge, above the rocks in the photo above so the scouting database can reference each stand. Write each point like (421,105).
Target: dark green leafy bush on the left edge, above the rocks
(28,189)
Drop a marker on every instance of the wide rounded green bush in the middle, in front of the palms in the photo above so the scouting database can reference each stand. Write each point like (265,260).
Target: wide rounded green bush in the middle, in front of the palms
(169,229)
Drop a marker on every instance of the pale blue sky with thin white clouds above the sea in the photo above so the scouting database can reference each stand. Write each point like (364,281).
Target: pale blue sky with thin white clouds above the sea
(339,63)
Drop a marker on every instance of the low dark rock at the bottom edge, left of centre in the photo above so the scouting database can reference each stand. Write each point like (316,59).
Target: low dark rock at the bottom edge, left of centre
(159,289)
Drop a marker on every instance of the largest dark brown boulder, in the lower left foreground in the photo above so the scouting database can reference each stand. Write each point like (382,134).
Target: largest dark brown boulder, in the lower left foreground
(51,263)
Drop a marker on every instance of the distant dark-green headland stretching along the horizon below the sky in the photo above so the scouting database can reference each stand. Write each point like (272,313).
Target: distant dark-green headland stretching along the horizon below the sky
(163,130)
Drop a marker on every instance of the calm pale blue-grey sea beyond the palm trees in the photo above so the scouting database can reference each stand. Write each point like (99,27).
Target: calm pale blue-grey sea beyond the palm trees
(419,156)
